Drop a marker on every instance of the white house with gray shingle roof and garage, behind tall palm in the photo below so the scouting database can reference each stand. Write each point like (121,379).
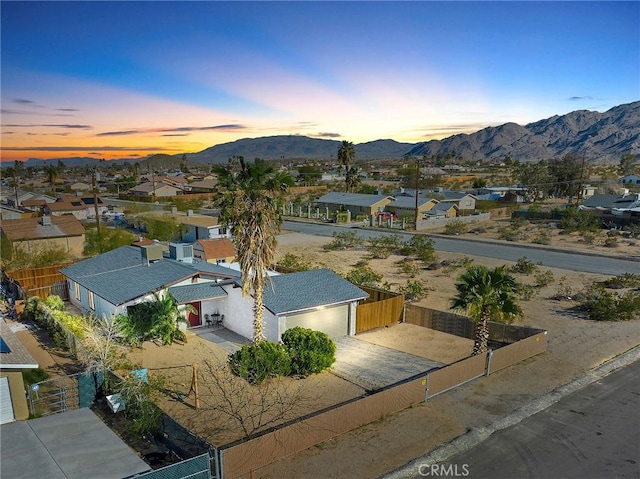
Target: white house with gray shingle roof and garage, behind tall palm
(109,283)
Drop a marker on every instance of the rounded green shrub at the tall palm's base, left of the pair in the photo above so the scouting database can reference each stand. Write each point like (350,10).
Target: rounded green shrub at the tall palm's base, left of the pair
(257,362)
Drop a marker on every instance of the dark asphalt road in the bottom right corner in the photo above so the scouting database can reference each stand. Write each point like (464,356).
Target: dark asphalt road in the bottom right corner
(591,433)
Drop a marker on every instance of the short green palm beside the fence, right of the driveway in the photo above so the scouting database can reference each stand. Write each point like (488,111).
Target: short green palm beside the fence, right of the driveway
(486,294)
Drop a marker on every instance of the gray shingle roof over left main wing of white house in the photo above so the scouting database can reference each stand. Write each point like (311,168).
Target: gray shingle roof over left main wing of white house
(119,275)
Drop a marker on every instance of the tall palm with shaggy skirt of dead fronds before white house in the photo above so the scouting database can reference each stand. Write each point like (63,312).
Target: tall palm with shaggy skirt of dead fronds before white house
(249,209)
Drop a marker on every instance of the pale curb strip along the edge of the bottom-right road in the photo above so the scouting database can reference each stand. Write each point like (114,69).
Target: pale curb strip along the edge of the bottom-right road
(477,435)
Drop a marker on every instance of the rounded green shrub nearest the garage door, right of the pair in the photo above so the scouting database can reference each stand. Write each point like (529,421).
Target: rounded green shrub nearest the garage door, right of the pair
(310,351)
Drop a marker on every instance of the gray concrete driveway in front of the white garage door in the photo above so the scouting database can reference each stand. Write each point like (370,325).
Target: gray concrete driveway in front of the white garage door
(373,367)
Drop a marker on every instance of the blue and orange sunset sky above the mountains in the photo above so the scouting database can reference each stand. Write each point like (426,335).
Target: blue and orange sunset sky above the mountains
(127,79)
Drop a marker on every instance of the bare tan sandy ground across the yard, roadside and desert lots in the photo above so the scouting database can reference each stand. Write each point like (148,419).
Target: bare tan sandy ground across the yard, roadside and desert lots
(575,346)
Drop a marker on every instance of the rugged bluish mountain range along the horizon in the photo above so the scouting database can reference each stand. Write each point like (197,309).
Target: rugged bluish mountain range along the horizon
(591,134)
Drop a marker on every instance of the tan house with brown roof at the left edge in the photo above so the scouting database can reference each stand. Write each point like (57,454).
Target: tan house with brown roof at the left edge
(37,234)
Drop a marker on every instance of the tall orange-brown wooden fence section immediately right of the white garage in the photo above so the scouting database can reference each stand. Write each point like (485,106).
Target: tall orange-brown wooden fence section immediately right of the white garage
(380,309)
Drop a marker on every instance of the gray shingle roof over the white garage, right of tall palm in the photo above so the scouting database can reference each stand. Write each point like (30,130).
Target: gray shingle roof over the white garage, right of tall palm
(288,293)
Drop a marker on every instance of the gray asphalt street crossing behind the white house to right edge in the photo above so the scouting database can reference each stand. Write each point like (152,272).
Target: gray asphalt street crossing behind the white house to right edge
(507,252)
